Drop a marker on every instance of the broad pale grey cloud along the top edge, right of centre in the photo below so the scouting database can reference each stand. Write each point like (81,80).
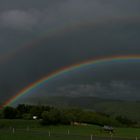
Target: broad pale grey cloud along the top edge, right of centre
(83,11)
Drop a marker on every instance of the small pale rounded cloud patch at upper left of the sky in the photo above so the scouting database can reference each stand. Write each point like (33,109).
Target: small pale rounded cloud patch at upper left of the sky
(18,19)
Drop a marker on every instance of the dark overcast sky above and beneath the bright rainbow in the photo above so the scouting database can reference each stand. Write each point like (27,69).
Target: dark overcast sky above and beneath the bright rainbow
(40,36)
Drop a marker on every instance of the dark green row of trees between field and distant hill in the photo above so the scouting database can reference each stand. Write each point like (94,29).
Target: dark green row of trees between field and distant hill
(52,116)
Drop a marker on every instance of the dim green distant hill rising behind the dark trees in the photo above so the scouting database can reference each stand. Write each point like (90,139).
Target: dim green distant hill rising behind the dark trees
(129,109)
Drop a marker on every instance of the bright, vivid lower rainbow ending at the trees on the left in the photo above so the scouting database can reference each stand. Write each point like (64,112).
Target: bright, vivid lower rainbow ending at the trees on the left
(65,70)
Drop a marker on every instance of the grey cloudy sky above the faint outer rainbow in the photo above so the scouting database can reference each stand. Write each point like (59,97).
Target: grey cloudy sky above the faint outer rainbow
(31,18)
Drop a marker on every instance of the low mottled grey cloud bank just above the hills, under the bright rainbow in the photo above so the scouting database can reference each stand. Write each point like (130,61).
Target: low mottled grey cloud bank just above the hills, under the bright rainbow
(112,90)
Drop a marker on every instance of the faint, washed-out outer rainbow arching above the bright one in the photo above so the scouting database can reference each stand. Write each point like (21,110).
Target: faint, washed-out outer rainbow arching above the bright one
(55,32)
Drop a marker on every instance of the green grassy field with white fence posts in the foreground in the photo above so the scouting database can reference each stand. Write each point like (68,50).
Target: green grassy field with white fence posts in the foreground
(28,130)
